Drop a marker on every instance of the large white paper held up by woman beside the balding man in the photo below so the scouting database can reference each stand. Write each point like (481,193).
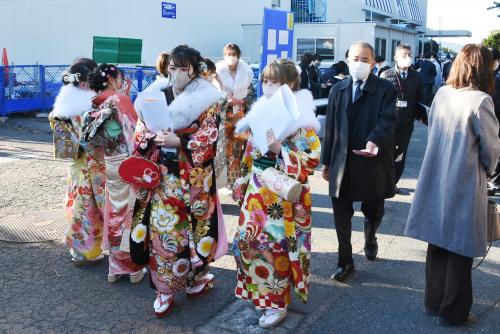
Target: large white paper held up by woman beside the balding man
(278,113)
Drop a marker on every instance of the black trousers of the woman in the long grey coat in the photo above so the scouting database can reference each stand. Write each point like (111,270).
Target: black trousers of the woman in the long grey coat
(448,288)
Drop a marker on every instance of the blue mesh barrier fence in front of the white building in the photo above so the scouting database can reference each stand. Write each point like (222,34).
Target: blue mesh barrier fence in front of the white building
(35,87)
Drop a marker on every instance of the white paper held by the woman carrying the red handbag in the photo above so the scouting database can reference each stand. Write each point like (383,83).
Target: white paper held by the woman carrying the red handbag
(155,111)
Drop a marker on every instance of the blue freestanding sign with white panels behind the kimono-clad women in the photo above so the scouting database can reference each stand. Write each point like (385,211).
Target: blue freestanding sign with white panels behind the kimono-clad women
(277,36)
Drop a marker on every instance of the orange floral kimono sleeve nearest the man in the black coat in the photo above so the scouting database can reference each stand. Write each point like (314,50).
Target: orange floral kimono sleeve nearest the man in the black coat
(303,155)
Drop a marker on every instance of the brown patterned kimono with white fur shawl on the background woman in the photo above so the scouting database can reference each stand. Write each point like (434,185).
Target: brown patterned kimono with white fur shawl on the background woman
(238,87)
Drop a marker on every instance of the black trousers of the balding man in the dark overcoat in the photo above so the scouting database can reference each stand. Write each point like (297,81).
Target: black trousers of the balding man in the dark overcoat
(342,213)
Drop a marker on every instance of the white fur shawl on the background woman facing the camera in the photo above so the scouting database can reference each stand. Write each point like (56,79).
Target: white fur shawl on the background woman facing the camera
(237,87)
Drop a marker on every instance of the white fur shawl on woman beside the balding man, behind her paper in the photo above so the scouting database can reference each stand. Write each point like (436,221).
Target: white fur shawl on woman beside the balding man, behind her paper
(306,120)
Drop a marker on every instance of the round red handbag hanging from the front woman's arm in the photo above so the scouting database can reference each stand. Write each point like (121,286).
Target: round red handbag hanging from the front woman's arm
(140,172)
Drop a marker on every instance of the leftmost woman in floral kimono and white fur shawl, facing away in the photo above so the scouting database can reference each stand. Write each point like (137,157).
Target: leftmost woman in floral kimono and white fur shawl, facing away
(85,192)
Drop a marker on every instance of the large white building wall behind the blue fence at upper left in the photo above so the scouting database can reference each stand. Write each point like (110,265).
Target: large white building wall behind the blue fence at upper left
(57,31)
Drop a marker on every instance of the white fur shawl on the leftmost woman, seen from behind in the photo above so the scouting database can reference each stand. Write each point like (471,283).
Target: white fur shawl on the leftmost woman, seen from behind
(72,101)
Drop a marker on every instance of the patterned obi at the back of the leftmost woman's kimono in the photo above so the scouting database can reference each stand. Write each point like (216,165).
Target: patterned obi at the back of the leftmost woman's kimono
(66,143)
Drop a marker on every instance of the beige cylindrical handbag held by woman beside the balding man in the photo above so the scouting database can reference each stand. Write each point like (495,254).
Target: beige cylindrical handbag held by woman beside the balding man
(283,185)
